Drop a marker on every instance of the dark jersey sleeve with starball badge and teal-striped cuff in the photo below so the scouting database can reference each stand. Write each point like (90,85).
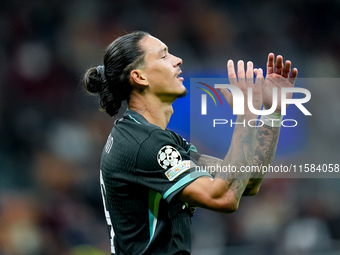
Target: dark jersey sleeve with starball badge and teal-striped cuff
(166,163)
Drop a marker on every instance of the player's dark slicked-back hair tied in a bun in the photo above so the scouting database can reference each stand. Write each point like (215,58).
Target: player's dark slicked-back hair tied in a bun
(112,80)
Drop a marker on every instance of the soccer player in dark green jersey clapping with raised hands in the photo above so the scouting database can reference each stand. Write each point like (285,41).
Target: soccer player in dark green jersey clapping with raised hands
(148,180)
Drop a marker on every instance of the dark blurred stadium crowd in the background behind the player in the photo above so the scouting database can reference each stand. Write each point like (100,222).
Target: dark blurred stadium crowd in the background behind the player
(52,133)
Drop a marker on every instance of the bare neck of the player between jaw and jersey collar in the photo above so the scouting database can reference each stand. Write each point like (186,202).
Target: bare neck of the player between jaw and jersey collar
(153,109)
